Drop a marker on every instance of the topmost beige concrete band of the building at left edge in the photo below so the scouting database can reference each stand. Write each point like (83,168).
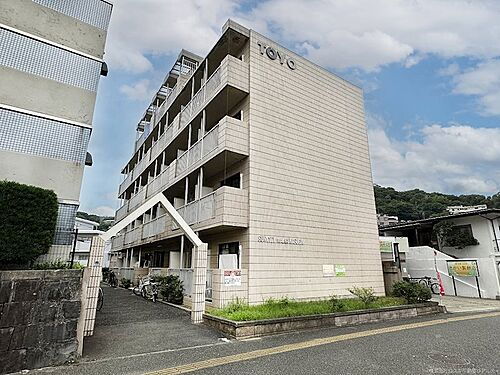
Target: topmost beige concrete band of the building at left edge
(47,23)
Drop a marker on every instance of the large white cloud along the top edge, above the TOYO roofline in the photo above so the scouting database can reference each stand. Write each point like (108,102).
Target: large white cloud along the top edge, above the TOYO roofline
(369,34)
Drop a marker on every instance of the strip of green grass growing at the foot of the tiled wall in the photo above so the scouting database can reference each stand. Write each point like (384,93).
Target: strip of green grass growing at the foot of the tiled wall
(282,308)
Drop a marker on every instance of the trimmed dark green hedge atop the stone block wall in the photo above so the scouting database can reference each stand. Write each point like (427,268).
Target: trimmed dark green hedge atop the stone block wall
(28,216)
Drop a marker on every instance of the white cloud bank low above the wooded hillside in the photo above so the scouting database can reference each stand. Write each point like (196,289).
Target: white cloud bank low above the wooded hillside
(455,159)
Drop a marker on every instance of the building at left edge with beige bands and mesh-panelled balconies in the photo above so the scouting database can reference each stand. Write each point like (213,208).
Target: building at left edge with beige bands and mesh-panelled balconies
(50,65)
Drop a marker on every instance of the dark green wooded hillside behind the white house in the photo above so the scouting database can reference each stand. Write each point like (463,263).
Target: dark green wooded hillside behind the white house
(418,204)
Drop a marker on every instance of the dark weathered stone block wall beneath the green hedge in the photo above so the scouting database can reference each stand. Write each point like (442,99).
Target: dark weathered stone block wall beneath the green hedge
(39,312)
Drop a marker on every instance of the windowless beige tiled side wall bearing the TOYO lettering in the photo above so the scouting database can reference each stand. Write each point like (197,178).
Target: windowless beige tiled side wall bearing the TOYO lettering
(310,179)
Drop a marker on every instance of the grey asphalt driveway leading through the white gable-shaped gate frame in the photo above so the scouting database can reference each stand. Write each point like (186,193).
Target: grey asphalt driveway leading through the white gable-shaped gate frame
(129,325)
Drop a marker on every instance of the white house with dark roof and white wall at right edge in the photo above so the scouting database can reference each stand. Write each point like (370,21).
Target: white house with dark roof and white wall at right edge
(483,225)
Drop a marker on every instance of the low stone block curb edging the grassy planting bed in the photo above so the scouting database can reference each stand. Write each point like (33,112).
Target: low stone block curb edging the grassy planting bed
(258,328)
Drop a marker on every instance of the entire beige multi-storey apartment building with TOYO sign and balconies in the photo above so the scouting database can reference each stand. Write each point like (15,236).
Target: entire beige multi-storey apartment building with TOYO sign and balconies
(265,155)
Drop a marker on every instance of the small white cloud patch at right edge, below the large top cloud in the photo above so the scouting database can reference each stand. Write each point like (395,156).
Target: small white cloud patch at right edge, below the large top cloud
(483,82)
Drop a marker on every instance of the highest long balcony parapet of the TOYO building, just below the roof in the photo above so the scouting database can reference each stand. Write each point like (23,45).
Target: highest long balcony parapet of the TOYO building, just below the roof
(231,71)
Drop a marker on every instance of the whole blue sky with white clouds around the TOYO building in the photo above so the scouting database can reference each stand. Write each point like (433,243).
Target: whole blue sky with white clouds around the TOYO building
(430,71)
